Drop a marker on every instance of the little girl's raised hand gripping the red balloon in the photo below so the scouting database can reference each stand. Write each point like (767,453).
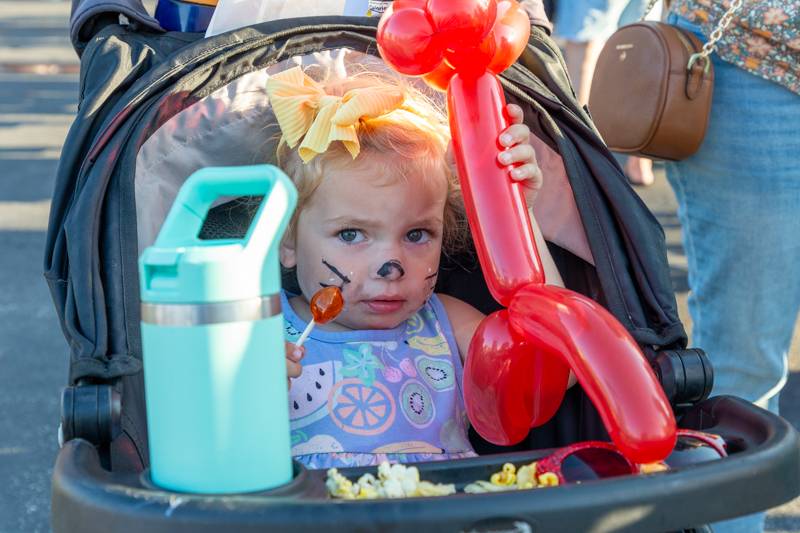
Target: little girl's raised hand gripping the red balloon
(519,155)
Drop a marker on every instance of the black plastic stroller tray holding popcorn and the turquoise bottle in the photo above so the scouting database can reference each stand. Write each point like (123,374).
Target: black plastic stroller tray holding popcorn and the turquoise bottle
(762,470)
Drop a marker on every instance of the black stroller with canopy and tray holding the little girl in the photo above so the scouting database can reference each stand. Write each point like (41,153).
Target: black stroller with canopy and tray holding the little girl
(156,106)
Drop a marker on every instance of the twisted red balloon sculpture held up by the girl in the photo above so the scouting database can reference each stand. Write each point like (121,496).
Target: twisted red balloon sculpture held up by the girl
(519,359)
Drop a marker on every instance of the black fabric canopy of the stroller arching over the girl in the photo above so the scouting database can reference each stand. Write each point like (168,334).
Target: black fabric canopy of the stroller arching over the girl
(134,82)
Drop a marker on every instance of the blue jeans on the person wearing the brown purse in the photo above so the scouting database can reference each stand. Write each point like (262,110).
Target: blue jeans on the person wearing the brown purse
(739,206)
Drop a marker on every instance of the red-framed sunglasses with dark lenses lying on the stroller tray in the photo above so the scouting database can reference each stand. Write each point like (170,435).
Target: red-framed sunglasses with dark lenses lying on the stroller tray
(588,460)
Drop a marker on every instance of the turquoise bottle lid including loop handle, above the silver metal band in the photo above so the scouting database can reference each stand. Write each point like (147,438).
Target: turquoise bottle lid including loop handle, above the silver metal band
(180,267)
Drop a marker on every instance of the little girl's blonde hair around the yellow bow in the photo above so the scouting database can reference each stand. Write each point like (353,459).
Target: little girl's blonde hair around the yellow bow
(415,135)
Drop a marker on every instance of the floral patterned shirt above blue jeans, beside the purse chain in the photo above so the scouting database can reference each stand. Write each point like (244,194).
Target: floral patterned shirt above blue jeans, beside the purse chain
(764,37)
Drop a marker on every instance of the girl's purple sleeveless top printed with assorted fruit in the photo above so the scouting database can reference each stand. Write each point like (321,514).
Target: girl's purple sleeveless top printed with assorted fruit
(378,395)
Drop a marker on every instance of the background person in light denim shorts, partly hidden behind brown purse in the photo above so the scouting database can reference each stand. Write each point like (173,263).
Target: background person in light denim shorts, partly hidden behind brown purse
(584,26)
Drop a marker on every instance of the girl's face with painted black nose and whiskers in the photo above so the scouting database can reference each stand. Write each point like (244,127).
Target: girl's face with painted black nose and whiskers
(376,235)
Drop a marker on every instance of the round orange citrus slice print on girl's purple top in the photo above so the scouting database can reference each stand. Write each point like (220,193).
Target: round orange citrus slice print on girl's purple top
(360,409)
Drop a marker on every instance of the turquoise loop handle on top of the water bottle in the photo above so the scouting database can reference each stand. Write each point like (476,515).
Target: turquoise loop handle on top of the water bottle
(185,219)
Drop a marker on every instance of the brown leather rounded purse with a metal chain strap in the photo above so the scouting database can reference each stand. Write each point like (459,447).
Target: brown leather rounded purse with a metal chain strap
(651,90)
